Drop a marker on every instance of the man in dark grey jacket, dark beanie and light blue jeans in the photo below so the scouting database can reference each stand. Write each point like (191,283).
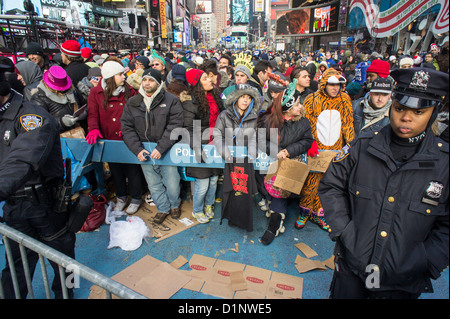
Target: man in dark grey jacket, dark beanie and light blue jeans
(150,116)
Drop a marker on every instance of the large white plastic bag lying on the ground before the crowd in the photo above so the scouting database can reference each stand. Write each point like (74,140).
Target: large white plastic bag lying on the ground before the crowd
(128,234)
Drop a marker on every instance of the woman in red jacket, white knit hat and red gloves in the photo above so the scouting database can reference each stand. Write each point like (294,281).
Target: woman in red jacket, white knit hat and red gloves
(105,107)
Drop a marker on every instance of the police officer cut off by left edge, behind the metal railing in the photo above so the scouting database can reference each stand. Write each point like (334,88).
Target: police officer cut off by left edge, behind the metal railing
(31,170)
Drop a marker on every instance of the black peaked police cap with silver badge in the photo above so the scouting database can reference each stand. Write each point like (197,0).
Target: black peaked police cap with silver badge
(419,87)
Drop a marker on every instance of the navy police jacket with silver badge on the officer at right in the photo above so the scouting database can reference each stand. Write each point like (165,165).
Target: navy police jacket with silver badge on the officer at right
(390,216)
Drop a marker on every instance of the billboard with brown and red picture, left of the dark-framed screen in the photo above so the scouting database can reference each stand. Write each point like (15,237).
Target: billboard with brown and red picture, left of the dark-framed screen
(293,22)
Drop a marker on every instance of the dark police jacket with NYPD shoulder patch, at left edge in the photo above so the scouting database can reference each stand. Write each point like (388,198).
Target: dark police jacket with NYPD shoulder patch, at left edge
(30,150)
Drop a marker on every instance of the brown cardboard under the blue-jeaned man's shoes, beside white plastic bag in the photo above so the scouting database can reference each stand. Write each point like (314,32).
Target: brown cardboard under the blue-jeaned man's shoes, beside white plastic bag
(169,226)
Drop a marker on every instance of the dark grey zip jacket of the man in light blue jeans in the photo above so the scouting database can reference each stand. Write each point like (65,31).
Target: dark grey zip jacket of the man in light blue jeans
(154,125)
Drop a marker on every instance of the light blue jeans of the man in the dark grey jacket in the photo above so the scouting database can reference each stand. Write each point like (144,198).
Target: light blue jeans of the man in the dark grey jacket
(164,185)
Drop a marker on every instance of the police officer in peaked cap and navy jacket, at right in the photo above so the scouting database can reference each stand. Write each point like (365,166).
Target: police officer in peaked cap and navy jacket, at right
(385,196)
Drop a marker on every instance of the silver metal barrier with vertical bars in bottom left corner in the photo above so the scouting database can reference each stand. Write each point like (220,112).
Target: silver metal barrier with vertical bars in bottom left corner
(63,261)
